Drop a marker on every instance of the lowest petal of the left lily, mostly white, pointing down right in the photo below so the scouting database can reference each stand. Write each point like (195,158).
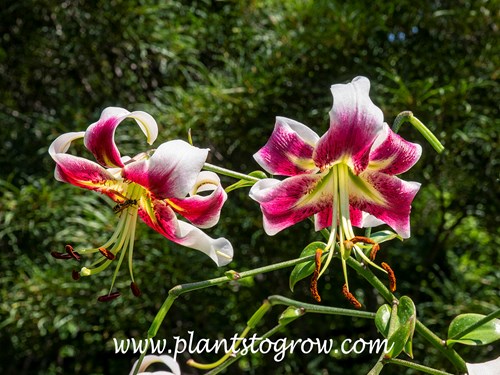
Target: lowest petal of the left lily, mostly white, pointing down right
(164,221)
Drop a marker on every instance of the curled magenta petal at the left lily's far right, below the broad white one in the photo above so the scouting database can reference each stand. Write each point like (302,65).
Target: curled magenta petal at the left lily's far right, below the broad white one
(202,210)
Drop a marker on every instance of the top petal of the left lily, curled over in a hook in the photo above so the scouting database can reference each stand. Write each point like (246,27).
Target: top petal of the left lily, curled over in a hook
(100,136)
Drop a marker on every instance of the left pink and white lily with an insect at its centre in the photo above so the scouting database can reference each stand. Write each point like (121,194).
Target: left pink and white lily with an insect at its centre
(157,186)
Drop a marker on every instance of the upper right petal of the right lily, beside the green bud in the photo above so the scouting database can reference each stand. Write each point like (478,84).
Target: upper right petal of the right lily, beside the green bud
(392,154)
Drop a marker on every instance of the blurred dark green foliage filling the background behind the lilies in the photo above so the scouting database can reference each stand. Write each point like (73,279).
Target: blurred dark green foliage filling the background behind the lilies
(225,69)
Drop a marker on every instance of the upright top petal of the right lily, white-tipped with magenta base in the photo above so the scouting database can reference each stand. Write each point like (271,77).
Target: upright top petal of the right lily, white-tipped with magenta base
(355,123)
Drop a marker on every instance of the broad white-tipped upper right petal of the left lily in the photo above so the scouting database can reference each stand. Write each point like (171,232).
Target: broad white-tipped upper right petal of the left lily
(172,170)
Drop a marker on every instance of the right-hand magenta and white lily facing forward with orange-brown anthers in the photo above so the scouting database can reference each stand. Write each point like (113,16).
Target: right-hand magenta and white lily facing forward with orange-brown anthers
(345,178)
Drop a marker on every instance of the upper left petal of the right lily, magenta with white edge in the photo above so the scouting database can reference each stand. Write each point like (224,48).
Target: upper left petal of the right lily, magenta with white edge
(289,150)
